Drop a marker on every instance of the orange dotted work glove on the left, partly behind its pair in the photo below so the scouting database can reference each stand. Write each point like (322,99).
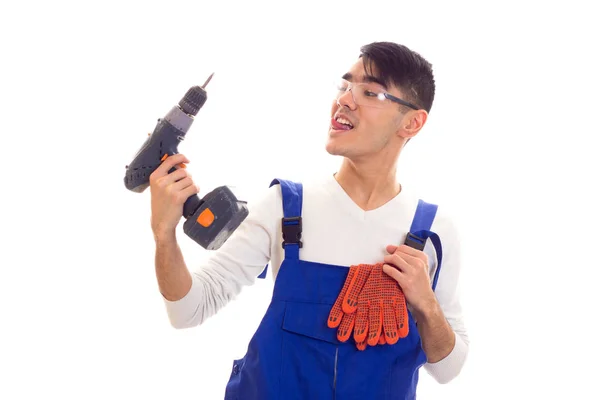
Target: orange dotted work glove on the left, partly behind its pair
(342,315)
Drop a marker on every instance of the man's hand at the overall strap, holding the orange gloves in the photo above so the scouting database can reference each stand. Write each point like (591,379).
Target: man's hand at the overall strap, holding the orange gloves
(410,268)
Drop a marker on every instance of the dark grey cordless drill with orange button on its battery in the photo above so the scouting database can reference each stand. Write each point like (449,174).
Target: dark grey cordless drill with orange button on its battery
(210,221)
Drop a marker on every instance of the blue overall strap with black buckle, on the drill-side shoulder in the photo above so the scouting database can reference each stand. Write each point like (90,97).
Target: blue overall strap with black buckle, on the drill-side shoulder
(291,223)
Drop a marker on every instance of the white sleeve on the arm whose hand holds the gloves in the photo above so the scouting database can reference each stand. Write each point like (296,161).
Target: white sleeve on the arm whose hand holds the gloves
(448,295)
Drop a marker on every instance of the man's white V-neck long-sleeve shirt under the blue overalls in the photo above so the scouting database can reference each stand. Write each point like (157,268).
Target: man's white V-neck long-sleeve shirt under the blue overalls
(334,231)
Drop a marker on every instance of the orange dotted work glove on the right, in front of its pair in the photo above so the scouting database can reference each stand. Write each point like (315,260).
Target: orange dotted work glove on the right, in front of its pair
(382,315)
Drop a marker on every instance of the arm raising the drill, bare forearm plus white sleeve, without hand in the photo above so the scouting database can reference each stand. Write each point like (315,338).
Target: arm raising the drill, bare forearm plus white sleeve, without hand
(192,295)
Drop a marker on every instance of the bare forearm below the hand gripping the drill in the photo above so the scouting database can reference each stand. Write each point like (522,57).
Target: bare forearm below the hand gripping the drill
(173,276)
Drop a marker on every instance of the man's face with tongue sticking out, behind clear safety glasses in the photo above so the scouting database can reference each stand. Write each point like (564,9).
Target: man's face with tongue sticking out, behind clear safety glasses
(371,128)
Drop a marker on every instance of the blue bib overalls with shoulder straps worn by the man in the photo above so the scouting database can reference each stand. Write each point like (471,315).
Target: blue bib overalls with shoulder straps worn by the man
(294,355)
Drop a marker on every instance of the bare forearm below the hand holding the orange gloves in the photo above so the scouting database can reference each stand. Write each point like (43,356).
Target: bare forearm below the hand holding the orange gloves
(437,337)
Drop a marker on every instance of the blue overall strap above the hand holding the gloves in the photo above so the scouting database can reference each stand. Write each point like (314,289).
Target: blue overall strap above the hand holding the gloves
(420,231)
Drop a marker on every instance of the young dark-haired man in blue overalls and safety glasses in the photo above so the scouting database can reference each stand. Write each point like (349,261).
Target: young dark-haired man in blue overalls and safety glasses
(359,215)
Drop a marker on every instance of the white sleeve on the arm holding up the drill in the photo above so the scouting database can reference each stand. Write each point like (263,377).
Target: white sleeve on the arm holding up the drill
(234,265)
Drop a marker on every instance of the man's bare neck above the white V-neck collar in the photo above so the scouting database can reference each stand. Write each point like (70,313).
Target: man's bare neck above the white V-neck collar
(370,184)
